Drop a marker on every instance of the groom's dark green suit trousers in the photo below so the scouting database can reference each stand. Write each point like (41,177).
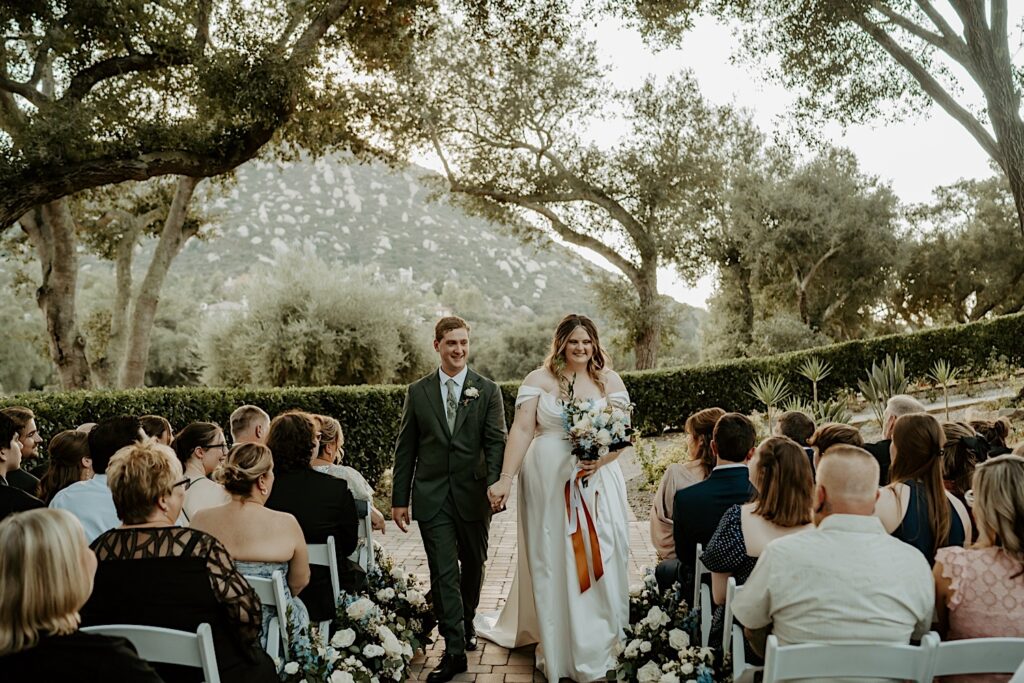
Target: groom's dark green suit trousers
(451,542)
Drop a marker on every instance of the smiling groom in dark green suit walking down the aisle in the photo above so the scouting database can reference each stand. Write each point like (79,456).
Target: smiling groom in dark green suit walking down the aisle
(449,451)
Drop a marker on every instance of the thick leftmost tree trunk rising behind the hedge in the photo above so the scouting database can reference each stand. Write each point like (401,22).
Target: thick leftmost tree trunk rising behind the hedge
(52,231)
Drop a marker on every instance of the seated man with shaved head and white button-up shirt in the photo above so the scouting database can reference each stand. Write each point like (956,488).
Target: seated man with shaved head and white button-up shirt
(846,581)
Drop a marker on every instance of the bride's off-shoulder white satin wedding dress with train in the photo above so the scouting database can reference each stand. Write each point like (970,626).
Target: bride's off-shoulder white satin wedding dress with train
(577,631)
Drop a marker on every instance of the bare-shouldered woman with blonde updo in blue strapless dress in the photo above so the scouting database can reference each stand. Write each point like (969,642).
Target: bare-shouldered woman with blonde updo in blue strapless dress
(260,540)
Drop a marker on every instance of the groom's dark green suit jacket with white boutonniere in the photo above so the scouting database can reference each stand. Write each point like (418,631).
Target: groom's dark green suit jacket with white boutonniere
(431,462)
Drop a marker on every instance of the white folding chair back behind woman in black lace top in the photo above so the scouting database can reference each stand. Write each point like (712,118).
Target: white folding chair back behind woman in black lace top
(161,646)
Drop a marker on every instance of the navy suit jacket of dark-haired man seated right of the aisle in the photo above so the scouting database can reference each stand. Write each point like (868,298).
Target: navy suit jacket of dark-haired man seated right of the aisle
(698,510)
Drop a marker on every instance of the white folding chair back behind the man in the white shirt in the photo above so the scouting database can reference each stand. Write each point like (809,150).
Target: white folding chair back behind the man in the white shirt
(907,663)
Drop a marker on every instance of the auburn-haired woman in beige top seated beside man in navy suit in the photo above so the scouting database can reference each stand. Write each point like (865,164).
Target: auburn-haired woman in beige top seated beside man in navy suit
(699,466)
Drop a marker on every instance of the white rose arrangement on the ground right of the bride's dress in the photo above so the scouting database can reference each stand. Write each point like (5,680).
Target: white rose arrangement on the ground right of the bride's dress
(658,644)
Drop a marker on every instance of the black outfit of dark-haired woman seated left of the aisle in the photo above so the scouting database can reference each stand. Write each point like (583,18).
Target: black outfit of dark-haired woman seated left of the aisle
(324,506)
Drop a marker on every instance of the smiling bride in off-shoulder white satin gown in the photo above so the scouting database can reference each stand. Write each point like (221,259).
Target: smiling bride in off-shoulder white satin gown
(560,597)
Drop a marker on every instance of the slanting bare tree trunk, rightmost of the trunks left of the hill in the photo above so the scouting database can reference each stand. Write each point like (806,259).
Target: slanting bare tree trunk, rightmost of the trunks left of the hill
(173,238)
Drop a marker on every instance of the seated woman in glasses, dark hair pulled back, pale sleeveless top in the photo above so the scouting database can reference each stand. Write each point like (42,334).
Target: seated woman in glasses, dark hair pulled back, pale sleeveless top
(201,448)
